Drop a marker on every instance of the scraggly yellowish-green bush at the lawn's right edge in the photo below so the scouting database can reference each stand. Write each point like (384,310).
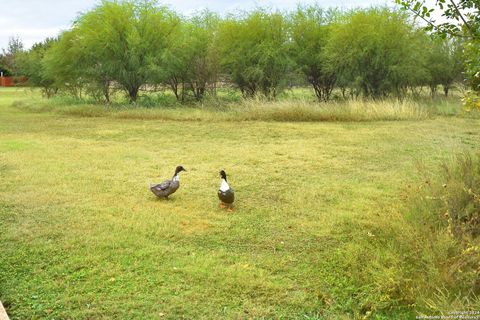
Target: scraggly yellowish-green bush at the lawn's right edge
(448,206)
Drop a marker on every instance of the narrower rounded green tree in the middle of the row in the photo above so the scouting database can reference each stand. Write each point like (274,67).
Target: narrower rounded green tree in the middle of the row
(254,52)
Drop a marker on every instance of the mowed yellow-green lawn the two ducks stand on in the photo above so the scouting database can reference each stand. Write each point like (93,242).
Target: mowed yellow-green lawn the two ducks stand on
(316,232)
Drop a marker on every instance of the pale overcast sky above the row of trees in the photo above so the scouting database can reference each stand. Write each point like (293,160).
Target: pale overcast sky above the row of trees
(34,20)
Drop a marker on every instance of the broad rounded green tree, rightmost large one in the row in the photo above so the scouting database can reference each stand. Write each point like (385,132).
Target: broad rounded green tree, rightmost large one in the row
(375,52)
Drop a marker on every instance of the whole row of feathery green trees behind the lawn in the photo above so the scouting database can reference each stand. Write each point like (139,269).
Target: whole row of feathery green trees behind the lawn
(131,46)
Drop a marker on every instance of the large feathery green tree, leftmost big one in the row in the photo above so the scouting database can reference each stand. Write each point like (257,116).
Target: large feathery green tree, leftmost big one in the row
(119,42)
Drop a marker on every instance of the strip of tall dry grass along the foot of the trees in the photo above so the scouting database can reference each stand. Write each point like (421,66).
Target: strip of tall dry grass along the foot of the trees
(250,110)
